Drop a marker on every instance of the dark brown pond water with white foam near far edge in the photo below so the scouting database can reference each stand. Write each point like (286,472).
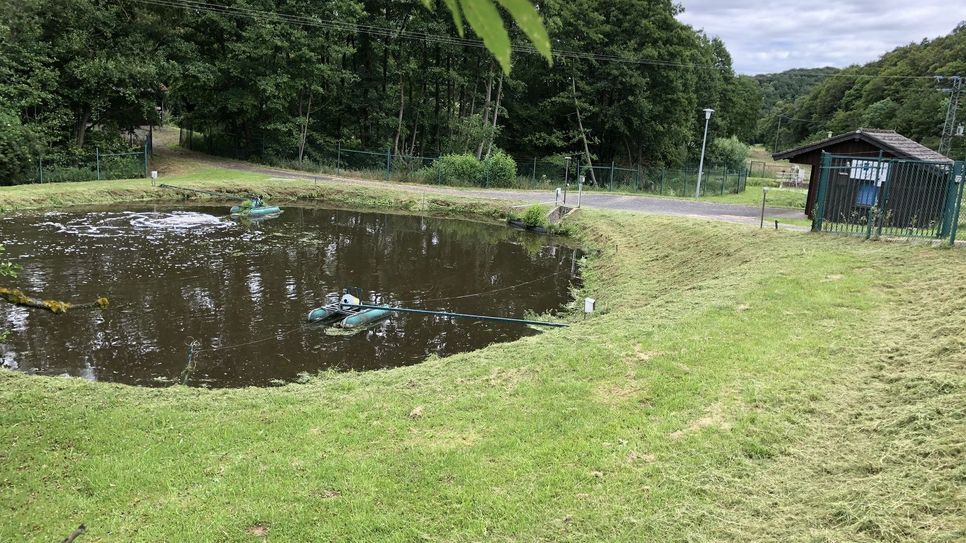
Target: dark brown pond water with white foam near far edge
(243,291)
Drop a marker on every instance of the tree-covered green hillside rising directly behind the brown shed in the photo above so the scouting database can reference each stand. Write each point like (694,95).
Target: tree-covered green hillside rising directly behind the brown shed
(879,94)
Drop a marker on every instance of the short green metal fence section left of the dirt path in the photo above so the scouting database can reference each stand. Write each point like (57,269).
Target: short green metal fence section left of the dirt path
(123,165)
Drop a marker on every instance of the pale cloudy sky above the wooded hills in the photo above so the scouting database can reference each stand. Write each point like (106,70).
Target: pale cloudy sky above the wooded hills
(766,36)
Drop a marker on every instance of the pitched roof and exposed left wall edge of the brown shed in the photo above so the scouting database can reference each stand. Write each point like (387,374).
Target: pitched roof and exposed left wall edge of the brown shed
(862,142)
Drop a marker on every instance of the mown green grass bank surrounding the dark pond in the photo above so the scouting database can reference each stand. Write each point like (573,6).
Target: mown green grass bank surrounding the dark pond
(765,385)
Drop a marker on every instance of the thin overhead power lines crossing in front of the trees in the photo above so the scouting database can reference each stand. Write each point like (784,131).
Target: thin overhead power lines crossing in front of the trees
(380,31)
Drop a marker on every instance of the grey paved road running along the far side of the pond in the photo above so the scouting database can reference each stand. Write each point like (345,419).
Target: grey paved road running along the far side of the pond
(640,204)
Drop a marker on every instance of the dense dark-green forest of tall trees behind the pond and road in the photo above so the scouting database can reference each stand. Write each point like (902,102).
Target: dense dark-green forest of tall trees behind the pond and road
(284,79)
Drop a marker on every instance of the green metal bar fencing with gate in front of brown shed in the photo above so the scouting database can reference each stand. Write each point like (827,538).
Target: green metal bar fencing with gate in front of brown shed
(878,197)
